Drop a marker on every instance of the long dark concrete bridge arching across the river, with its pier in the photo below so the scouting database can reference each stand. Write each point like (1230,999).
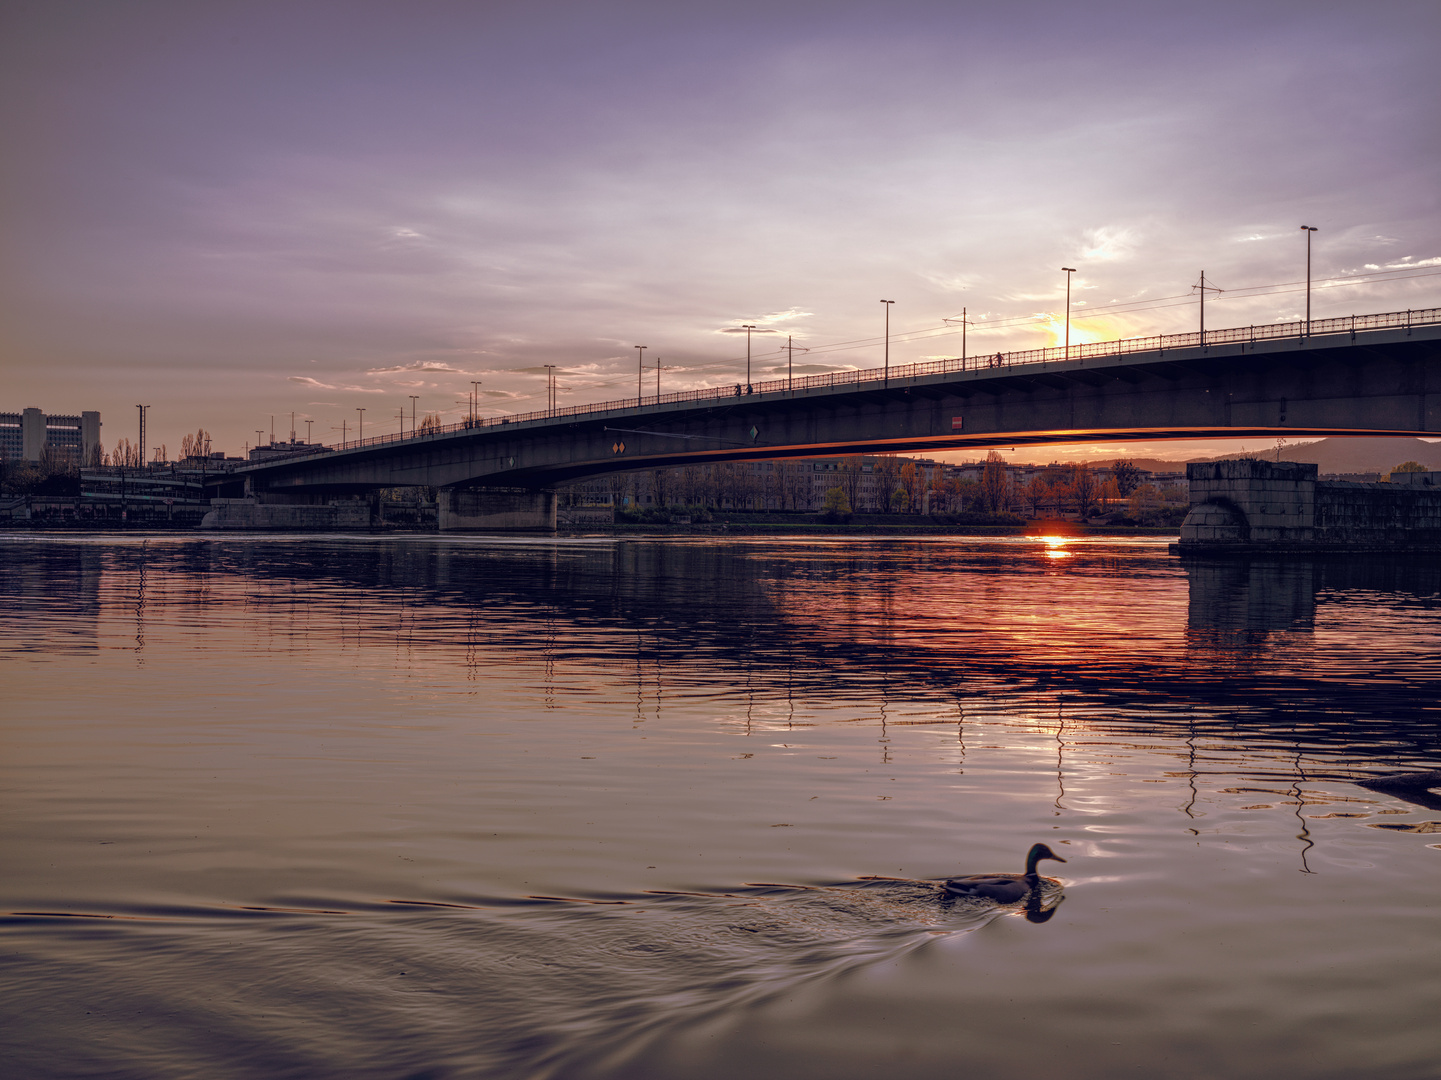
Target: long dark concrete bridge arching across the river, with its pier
(1362,376)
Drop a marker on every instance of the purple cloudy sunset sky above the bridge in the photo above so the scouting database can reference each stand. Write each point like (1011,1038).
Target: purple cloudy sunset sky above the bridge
(237,210)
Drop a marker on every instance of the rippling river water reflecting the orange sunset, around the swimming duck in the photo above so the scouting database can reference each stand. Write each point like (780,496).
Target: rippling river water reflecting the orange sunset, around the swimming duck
(432,807)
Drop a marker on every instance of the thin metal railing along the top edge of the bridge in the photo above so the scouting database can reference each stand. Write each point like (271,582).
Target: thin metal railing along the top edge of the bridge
(1319,328)
